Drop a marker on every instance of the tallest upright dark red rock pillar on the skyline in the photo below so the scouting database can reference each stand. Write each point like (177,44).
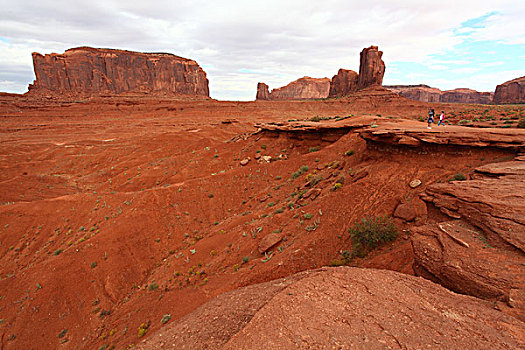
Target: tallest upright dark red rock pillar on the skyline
(371,68)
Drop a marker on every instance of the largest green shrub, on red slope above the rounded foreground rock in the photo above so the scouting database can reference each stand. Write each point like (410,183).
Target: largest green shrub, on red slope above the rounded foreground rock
(371,233)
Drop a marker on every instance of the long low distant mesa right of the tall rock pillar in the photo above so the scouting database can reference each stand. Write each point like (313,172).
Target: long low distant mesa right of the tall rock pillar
(426,93)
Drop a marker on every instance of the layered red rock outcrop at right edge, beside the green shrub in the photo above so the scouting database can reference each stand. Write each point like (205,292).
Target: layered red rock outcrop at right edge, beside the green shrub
(481,253)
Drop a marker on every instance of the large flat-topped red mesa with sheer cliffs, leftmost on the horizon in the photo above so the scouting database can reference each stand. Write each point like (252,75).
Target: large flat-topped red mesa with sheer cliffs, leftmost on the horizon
(86,70)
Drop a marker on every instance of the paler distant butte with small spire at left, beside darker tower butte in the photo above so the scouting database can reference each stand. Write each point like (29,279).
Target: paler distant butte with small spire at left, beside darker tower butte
(300,89)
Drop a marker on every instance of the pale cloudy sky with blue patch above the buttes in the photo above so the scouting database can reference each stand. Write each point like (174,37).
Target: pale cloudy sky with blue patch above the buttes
(445,44)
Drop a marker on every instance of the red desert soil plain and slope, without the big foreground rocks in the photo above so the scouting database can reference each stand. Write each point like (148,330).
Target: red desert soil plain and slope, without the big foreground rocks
(116,211)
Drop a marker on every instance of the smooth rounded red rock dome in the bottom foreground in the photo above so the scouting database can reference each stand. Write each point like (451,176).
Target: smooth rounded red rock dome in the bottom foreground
(342,308)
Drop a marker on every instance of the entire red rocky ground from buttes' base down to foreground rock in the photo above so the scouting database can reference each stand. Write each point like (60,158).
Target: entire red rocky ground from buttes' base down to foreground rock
(121,220)
